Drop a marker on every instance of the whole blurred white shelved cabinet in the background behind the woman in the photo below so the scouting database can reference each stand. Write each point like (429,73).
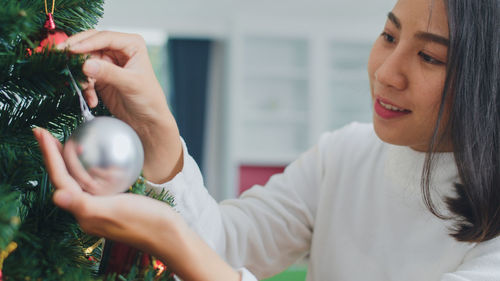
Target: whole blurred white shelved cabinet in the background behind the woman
(287,85)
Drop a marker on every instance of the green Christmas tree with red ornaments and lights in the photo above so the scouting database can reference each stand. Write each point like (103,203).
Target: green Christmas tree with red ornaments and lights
(39,241)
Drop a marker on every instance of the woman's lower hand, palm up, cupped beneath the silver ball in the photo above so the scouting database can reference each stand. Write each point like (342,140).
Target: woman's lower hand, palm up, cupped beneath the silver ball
(150,225)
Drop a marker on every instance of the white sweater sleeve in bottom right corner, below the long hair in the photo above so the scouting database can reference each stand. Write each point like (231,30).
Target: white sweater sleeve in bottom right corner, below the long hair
(482,263)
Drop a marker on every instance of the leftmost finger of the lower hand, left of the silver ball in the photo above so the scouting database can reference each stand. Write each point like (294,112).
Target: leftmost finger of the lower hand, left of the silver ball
(53,160)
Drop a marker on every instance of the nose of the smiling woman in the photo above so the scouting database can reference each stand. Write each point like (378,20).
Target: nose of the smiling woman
(392,72)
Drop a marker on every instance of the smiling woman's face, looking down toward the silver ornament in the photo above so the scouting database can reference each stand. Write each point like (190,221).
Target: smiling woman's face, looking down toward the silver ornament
(407,69)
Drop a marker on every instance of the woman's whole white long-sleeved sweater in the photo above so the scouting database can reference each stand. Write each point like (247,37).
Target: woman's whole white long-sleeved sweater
(352,203)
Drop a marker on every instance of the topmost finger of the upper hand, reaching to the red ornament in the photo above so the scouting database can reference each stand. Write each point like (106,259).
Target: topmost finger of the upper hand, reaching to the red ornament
(124,42)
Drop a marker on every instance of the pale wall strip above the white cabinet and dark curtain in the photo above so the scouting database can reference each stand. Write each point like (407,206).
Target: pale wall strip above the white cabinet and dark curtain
(215,17)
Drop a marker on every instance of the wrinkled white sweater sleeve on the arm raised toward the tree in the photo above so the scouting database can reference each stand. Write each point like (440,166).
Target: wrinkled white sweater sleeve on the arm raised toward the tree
(265,230)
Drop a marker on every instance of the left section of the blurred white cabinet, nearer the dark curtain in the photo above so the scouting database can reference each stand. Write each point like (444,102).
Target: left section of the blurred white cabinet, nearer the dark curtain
(272,103)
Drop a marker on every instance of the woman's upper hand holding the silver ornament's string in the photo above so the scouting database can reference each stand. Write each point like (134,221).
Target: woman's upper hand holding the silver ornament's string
(122,75)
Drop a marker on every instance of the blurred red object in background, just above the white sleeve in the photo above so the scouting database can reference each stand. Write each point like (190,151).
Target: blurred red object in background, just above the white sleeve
(252,175)
